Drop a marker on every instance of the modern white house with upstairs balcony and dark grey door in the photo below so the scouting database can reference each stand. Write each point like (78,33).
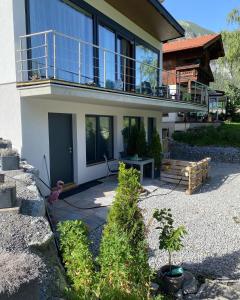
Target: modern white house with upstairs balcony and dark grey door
(75,73)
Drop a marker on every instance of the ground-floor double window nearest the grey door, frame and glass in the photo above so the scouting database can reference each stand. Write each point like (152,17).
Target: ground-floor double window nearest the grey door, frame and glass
(99,138)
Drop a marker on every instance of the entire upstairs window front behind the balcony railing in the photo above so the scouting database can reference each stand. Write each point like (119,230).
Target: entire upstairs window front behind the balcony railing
(83,63)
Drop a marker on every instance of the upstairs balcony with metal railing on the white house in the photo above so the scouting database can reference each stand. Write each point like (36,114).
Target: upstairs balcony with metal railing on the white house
(54,59)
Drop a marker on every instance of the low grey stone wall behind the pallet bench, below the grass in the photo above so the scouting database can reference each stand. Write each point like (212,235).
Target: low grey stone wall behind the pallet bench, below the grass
(194,153)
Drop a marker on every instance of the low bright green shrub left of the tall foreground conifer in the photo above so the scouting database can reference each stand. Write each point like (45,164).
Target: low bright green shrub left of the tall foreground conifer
(78,259)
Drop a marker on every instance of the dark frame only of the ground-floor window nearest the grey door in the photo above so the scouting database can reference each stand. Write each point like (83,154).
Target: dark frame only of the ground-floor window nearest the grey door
(97,117)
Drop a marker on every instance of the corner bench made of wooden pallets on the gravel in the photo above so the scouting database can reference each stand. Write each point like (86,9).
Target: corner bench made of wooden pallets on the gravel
(187,173)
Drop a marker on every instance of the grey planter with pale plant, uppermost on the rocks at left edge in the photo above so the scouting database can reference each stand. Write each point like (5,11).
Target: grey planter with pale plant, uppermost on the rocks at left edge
(9,159)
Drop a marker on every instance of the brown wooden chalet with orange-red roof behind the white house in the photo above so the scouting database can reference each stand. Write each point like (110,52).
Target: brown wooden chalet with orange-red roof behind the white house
(188,61)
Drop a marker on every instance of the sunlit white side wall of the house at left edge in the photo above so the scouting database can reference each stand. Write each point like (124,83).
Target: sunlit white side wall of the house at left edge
(12,24)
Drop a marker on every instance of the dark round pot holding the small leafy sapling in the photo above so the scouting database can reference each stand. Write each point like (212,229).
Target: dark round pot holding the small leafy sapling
(171,284)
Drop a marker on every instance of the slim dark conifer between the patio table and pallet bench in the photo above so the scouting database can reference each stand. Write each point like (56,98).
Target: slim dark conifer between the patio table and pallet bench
(155,152)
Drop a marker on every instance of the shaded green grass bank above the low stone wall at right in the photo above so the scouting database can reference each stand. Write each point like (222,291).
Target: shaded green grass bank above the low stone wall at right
(227,134)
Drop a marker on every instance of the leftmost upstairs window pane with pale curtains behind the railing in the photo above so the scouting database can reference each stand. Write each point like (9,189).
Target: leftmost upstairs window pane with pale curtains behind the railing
(68,19)
